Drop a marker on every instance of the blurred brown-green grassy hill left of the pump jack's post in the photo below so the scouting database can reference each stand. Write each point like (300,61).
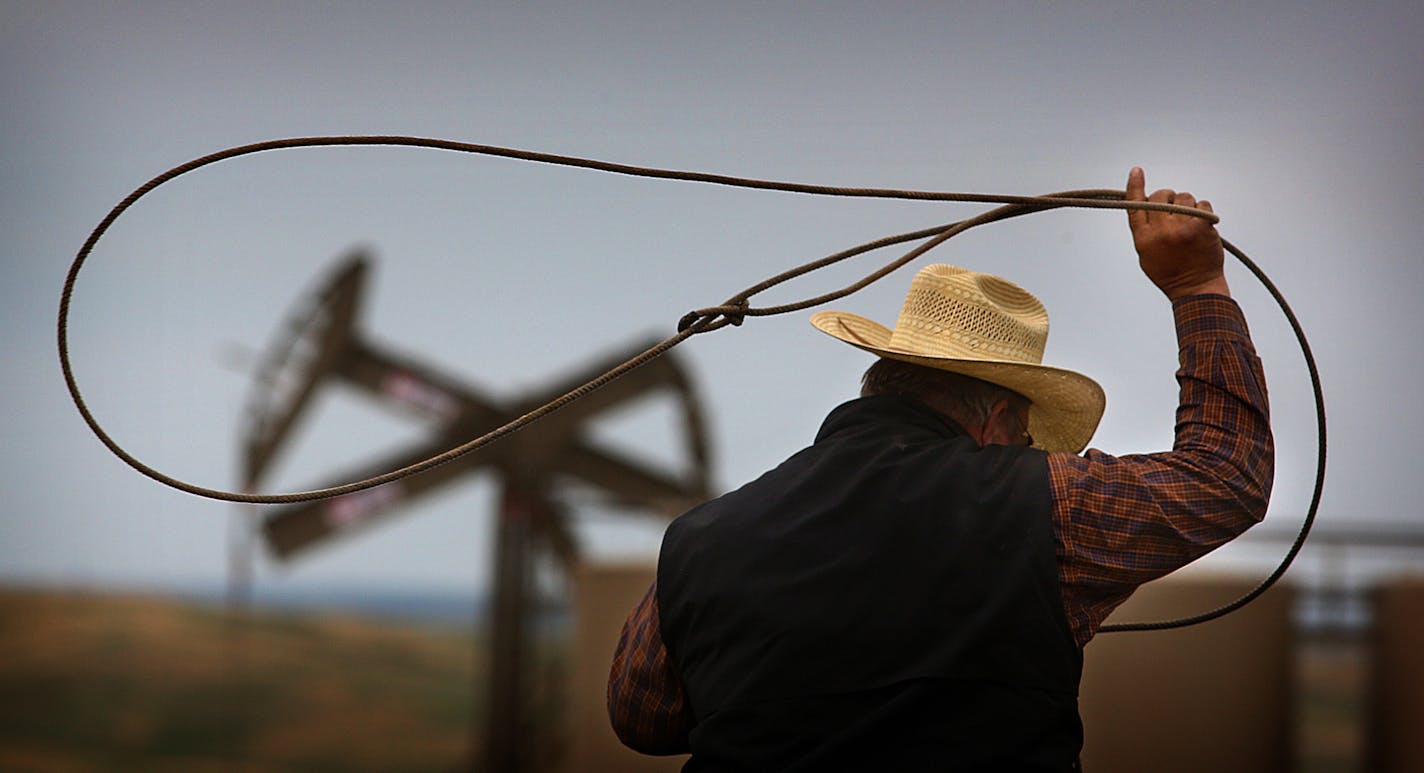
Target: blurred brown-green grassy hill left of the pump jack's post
(129,683)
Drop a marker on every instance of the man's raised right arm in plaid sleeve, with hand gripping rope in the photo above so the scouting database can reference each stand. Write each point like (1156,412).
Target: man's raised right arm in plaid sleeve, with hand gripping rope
(1123,522)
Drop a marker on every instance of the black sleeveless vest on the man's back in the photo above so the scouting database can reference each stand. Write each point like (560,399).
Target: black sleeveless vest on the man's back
(885,600)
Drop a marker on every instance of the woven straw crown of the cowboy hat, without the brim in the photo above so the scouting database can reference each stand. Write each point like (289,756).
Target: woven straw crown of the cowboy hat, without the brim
(952,312)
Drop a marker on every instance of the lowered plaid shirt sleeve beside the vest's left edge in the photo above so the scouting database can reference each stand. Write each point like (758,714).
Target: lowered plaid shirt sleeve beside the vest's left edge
(646,701)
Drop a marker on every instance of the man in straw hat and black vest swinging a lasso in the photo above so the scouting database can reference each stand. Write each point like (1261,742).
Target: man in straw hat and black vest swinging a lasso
(913,591)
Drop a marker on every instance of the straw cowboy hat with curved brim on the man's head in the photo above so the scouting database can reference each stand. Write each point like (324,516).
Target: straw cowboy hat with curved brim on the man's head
(988,328)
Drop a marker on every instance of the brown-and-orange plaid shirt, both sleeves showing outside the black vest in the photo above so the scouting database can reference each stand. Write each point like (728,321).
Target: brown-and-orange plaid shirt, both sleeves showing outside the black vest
(1119,522)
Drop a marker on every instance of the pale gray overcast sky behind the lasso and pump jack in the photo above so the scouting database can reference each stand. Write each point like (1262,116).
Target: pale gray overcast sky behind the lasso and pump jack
(1301,122)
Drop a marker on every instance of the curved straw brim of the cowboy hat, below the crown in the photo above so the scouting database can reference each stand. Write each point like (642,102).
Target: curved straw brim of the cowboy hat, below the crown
(1067,405)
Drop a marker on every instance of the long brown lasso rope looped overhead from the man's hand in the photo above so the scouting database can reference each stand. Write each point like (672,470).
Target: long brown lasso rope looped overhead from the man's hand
(703,321)
